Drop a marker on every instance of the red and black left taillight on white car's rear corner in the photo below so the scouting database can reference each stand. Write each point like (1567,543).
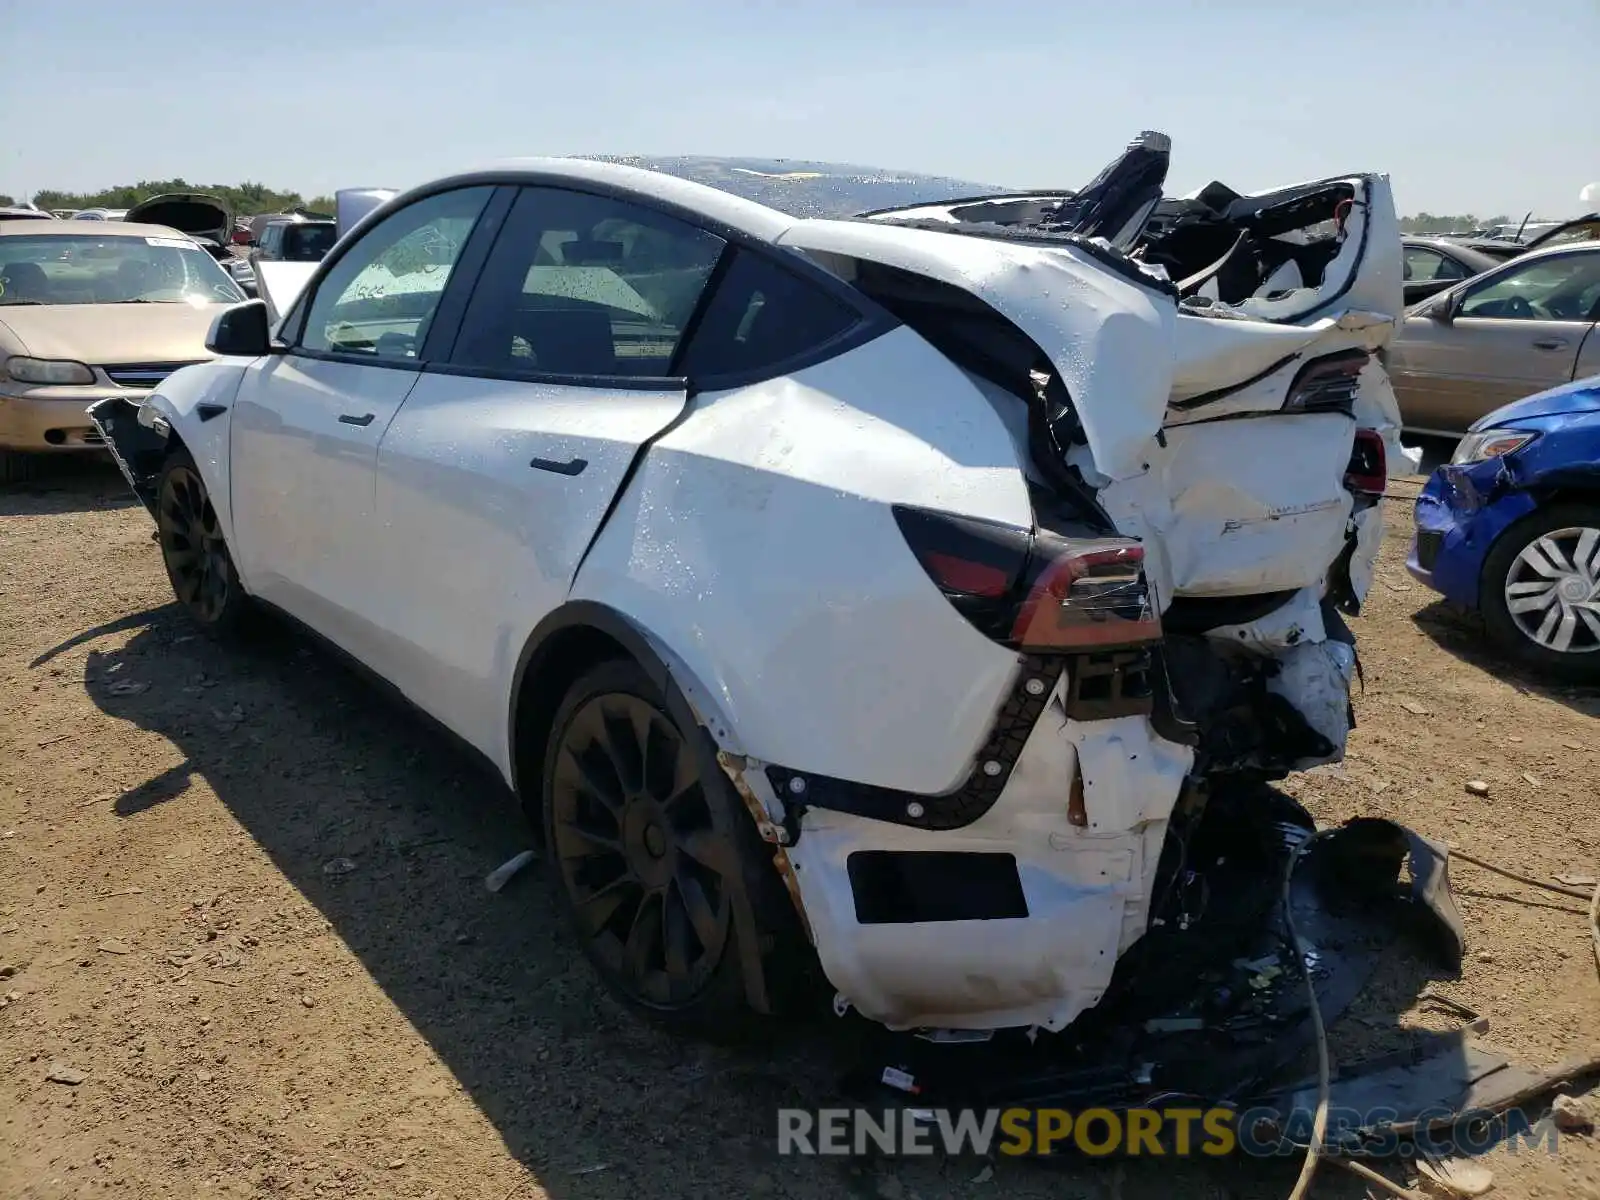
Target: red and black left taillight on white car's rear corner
(1036,590)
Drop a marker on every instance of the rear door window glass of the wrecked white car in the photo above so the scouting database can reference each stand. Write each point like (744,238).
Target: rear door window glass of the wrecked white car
(585,286)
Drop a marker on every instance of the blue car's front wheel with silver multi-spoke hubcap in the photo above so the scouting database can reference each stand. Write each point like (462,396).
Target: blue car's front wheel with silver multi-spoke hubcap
(1535,578)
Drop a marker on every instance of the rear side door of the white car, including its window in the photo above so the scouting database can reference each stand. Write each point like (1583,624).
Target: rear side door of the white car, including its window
(505,458)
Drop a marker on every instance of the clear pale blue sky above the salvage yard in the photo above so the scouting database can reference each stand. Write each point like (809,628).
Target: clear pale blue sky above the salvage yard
(1470,106)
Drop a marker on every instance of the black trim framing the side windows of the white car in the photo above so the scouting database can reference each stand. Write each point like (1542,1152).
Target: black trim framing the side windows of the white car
(874,321)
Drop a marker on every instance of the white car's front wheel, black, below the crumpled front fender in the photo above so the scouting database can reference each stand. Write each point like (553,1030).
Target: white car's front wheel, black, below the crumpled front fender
(194,551)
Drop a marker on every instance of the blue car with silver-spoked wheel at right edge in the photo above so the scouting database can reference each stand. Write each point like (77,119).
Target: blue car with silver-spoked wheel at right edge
(1511,527)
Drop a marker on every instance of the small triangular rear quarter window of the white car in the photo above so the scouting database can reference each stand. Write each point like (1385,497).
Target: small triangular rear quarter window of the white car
(762,316)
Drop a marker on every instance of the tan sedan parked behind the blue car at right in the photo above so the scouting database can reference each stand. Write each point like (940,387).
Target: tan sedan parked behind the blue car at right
(1508,334)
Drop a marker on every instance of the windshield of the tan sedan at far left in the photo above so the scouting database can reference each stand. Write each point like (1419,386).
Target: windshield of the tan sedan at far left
(90,270)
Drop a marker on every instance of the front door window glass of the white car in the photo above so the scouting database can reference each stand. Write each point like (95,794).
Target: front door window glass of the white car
(380,298)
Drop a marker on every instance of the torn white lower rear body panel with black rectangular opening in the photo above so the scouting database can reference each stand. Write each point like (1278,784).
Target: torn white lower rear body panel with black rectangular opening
(950,958)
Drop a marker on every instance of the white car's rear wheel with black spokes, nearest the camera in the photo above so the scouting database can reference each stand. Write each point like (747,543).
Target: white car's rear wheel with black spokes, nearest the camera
(665,879)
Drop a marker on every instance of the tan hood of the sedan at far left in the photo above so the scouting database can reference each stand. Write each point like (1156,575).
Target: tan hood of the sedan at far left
(110,334)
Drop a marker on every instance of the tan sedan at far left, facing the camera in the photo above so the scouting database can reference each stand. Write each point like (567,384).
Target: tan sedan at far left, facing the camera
(90,311)
